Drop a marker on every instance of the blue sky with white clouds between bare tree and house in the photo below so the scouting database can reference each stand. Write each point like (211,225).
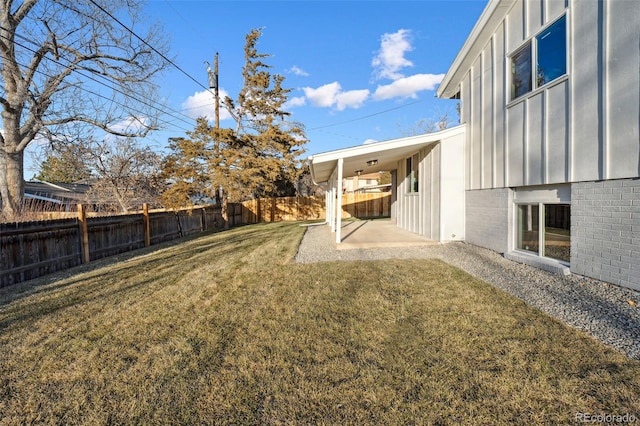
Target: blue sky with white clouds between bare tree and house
(360,70)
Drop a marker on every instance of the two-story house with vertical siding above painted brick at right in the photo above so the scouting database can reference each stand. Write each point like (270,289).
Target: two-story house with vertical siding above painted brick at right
(550,97)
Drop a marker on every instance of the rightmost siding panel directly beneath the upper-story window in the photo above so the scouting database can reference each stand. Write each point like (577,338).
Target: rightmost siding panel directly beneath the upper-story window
(557,135)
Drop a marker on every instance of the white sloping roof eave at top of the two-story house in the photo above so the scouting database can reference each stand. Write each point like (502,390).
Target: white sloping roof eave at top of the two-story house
(491,17)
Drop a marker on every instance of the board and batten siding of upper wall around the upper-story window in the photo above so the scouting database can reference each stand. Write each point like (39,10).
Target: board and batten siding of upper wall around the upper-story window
(582,126)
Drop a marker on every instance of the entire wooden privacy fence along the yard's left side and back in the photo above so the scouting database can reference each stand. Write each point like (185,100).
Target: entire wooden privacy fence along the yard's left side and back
(32,249)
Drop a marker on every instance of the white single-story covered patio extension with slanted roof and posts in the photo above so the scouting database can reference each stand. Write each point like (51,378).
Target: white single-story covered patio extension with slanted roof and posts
(427,198)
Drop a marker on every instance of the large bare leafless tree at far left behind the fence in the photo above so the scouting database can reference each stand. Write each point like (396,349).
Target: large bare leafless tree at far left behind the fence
(70,67)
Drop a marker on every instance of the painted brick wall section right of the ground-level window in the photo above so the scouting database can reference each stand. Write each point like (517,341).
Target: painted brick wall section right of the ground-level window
(605,231)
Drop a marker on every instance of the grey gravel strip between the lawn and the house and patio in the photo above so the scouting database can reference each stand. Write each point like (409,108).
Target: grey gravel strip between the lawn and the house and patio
(601,310)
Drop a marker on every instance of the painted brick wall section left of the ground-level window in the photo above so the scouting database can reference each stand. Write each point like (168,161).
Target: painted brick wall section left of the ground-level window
(487,218)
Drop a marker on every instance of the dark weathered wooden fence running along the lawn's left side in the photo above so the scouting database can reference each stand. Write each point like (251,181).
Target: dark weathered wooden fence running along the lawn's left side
(31,249)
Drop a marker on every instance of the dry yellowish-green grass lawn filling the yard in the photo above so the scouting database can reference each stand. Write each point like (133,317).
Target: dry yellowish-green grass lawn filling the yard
(226,329)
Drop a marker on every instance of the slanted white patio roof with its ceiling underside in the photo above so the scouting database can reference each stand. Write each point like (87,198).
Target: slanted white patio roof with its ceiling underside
(386,154)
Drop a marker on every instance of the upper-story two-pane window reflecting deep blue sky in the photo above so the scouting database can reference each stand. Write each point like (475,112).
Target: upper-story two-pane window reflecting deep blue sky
(544,56)
